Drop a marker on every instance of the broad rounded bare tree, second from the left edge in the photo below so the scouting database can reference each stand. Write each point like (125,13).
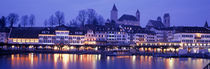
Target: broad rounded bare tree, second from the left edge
(13,19)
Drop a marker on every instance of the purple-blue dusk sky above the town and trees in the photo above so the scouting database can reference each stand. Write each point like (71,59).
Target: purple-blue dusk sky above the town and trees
(182,12)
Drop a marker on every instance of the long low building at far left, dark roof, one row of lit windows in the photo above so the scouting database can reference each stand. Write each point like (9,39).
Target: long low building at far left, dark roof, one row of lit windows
(24,35)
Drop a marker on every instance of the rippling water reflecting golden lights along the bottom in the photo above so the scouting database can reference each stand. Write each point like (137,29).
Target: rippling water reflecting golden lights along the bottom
(87,61)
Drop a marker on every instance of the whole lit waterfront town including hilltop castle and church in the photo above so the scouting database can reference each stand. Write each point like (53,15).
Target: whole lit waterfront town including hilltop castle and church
(123,31)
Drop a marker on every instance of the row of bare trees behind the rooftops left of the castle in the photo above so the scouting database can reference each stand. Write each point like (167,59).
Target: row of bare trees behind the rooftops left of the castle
(87,16)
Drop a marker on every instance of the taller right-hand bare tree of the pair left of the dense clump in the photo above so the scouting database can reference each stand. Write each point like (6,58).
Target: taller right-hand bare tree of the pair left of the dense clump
(59,17)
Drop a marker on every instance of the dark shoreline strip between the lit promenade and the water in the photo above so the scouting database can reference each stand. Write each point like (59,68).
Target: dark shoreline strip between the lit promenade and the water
(106,53)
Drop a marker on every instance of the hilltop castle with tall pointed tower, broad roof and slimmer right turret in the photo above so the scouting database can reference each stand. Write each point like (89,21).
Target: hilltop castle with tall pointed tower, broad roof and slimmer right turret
(125,19)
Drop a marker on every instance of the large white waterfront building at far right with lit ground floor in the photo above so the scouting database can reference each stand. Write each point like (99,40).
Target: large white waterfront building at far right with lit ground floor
(193,39)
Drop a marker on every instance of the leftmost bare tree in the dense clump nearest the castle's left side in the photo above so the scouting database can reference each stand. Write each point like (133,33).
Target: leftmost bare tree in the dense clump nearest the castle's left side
(82,17)
